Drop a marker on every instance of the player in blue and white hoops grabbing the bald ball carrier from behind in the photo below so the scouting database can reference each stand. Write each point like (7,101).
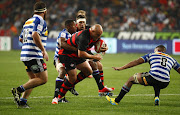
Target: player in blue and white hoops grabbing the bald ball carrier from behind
(70,28)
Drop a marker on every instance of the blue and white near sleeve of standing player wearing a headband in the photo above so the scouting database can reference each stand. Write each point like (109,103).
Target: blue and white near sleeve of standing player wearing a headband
(38,26)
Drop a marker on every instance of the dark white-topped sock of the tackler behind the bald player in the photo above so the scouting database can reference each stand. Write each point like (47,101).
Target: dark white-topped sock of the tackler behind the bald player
(59,82)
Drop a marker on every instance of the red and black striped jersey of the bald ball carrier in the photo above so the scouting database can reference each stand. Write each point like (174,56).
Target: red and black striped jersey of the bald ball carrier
(81,40)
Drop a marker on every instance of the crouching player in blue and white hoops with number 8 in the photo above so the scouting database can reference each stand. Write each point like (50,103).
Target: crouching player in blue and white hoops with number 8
(158,76)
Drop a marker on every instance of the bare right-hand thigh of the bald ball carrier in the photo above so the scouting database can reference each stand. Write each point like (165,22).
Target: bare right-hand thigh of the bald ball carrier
(85,68)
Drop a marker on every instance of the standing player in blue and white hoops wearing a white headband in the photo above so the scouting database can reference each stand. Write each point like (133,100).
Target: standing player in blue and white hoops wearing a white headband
(33,37)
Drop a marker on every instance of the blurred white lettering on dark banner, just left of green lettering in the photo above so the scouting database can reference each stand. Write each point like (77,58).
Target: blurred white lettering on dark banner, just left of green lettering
(136,35)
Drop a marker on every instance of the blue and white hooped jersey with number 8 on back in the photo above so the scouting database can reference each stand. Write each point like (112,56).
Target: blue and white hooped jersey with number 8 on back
(161,65)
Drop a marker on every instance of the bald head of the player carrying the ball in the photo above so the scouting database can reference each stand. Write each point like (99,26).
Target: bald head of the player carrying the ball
(96,31)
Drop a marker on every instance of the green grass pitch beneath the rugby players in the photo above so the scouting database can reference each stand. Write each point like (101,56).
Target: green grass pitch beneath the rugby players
(138,101)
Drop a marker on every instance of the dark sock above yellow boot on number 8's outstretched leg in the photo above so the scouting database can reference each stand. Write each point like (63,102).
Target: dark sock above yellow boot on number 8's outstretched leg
(123,91)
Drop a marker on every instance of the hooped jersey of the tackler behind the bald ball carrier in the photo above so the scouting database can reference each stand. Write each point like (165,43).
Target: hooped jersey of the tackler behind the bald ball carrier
(64,34)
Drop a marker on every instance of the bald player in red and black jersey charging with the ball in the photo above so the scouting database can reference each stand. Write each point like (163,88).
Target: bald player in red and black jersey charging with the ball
(73,60)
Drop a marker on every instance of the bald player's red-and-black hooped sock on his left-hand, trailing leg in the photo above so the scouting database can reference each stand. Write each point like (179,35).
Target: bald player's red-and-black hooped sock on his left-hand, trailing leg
(64,88)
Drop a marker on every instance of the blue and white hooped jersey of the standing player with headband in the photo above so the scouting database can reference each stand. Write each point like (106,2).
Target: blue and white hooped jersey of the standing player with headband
(29,49)
